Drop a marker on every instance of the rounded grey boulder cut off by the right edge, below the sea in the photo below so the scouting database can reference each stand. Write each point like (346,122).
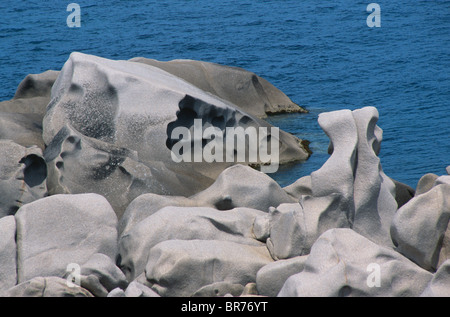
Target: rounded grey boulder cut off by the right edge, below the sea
(420,228)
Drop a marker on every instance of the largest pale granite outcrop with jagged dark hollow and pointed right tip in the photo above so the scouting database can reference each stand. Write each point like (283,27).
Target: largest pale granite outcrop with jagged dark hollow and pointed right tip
(118,118)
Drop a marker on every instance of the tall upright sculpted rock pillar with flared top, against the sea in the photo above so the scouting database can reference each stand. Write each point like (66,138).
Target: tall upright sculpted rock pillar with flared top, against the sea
(354,171)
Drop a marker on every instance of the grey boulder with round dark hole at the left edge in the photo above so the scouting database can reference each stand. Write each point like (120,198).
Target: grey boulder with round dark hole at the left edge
(23,174)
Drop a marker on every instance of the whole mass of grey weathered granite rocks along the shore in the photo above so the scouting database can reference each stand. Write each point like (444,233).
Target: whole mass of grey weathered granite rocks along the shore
(90,196)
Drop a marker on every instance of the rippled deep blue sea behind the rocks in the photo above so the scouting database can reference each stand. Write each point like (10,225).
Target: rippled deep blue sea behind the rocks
(321,54)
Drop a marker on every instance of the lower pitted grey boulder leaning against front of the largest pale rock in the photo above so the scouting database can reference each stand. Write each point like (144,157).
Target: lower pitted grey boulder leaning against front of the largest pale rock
(80,164)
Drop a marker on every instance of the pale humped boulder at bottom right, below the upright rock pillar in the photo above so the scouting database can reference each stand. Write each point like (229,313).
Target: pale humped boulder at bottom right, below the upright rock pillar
(344,263)
